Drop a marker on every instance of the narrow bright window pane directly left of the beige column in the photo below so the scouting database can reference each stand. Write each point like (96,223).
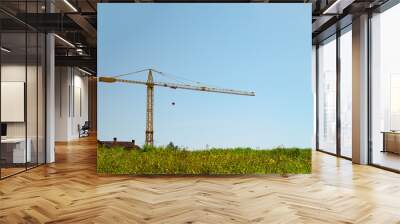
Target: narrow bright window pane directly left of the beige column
(346,92)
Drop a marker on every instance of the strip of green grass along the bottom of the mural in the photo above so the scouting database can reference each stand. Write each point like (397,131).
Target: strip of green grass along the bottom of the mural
(167,160)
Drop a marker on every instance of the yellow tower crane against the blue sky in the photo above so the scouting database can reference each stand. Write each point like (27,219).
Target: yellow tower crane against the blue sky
(150,83)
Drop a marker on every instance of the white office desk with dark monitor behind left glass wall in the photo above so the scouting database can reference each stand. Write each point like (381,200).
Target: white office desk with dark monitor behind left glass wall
(13,150)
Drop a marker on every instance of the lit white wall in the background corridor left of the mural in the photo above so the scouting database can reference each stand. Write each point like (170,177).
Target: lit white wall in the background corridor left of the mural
(71,93)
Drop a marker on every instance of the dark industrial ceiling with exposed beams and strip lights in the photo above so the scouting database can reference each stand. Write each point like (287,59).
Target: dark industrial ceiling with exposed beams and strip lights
(76,21)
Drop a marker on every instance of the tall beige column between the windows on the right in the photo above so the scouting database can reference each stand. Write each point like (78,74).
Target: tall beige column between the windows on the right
(360,90)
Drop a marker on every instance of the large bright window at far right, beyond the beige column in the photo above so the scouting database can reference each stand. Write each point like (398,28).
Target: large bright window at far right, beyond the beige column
(385,89)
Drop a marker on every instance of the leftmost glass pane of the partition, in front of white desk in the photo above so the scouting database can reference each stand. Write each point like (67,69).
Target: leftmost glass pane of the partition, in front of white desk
(13,94)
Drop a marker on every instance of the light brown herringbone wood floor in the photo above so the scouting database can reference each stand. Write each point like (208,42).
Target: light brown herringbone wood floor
(70,191)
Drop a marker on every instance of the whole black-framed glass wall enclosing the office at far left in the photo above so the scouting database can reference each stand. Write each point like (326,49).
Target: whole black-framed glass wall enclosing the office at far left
(22,91)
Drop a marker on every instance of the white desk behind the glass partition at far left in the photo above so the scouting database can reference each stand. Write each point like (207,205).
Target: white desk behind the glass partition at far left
(18,149)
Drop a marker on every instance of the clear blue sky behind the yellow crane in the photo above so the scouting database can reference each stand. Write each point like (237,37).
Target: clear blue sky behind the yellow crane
(264,48)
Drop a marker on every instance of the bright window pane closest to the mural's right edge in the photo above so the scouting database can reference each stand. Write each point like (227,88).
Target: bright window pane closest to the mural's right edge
(327,95)
